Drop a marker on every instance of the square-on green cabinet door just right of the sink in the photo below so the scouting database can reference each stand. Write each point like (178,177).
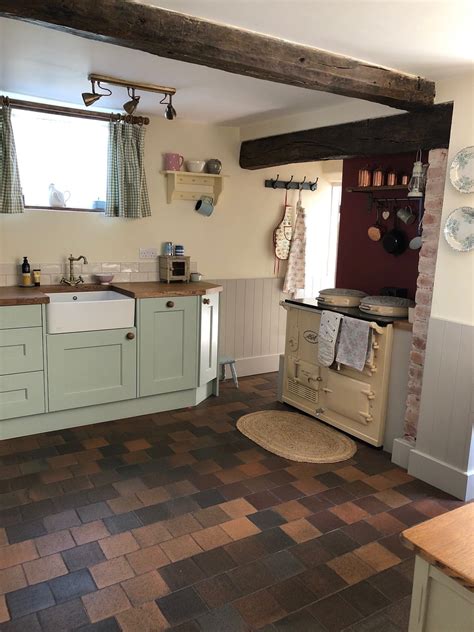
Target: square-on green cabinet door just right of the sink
(168,344)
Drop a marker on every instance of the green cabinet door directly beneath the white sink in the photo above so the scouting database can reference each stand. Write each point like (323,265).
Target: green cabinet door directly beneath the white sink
(91,367)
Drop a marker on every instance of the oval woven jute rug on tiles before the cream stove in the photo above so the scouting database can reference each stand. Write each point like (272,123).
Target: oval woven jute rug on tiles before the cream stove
(296,437)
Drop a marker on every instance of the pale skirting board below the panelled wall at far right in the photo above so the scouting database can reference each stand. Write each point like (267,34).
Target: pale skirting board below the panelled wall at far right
(442,475)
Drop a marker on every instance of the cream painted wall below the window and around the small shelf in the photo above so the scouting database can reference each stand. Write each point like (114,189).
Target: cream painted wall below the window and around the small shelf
(235,242)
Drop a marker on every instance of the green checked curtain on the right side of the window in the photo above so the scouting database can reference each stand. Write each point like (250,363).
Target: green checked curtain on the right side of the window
(127,194)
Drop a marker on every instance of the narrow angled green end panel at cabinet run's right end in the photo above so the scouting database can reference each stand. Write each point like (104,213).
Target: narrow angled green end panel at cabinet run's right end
(209,338)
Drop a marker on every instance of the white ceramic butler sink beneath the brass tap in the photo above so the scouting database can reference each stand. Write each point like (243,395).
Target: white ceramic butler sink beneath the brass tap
(88,311)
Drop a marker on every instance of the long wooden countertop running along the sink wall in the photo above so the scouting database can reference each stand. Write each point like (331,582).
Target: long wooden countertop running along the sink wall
(37,295)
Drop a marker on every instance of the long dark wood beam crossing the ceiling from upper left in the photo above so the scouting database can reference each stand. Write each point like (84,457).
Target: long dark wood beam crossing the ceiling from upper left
(178,36)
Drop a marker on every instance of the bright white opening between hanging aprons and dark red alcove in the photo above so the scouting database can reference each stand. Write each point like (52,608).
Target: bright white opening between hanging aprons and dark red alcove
(321,244)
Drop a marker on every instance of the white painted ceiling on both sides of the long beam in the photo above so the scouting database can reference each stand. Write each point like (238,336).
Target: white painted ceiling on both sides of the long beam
(425,37)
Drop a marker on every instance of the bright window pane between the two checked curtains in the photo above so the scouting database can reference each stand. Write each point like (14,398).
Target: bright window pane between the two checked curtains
(66,151)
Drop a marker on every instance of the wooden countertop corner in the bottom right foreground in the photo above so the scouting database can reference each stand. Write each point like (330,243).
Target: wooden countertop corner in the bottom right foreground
(447,542)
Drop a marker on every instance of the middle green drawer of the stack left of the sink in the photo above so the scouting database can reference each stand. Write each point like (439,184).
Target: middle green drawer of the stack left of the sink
(21,350)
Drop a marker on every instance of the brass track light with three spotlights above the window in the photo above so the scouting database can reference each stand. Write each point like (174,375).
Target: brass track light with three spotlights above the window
(130,106)
